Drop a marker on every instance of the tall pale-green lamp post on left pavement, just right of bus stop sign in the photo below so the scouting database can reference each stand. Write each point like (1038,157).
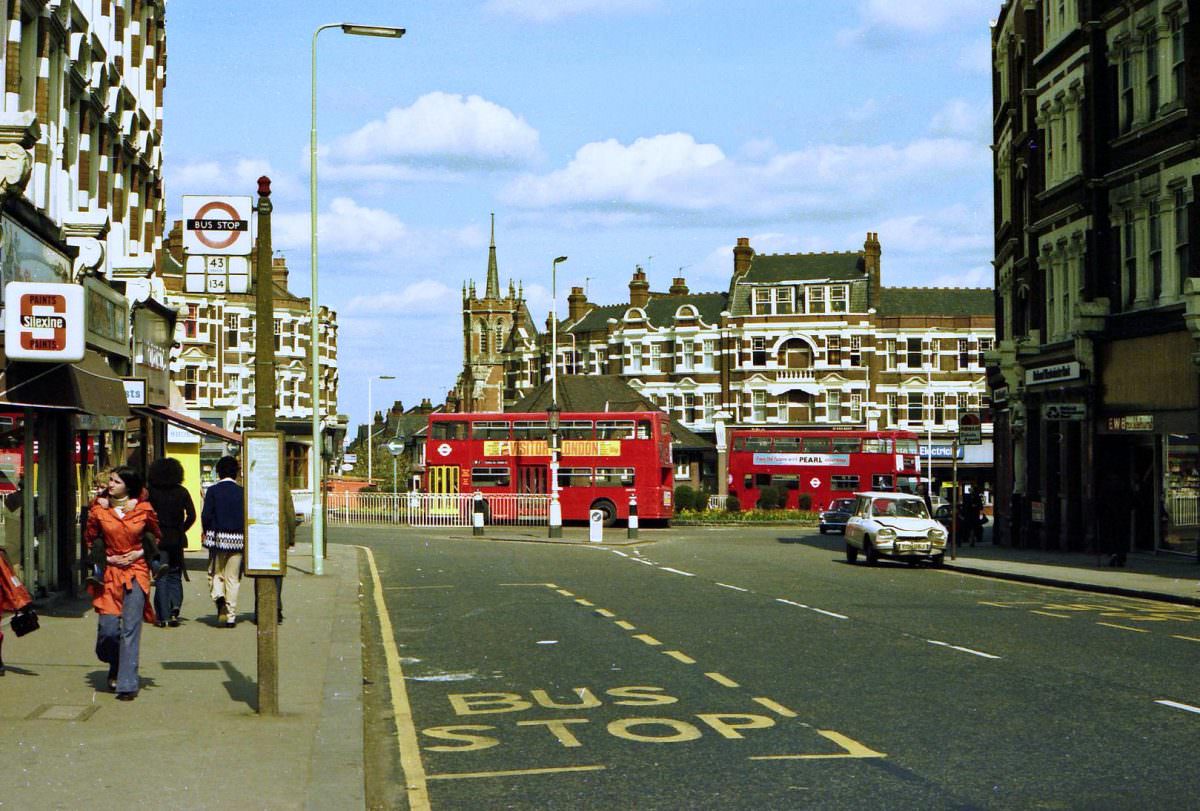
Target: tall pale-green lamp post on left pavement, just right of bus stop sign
(319,509)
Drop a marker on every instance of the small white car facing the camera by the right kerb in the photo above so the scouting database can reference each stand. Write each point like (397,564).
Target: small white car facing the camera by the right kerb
(893,526)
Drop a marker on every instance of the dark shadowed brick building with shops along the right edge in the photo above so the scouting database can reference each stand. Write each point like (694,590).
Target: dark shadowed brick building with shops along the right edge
(1097,125)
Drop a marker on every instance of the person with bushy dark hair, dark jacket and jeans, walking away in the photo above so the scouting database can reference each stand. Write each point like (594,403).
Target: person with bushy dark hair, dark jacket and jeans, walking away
(177,514)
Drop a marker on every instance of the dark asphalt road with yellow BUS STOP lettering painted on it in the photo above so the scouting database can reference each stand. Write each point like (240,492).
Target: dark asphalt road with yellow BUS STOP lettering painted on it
(758,670)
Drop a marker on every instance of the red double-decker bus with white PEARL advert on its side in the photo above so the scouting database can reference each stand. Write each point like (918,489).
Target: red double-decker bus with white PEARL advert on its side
(826,465)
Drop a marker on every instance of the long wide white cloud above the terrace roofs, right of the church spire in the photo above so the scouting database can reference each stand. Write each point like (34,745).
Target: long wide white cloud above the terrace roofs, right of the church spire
(673,177)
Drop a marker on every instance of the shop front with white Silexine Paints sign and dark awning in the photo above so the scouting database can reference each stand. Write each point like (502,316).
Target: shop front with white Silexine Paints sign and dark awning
(62,404)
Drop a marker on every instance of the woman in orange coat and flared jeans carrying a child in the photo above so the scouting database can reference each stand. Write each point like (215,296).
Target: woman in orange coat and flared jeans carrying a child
(119,522)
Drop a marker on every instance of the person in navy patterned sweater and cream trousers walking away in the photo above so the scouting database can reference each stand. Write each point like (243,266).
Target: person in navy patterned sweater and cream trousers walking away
(224,521)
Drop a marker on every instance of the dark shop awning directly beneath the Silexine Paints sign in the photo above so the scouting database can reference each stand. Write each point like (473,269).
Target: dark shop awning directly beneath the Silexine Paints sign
(89,386)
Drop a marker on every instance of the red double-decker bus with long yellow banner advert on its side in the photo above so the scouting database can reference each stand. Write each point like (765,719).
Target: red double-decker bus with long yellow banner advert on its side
(607,458)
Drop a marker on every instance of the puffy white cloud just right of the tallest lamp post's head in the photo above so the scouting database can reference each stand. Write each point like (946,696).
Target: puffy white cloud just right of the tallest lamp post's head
(465,133)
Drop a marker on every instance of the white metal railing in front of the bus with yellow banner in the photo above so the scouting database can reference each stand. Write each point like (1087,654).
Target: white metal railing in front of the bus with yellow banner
(436,509)
